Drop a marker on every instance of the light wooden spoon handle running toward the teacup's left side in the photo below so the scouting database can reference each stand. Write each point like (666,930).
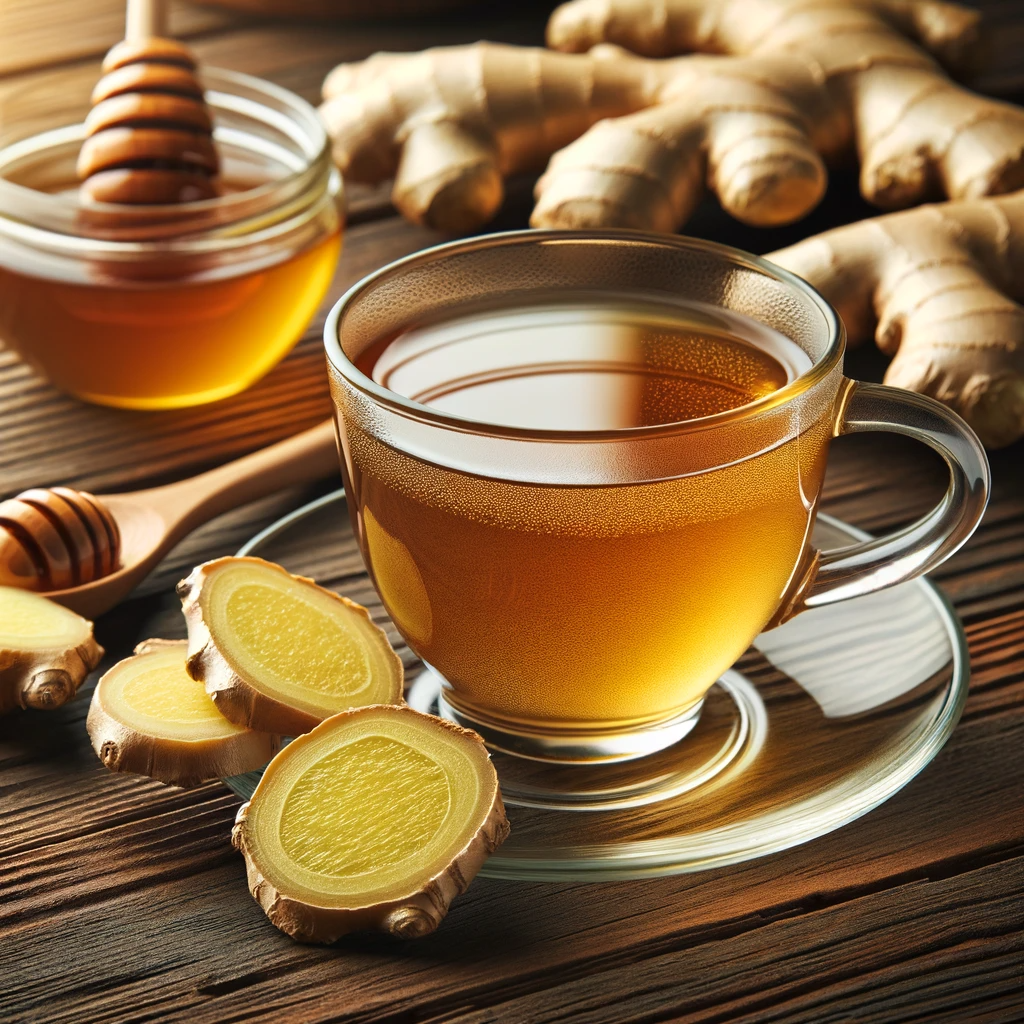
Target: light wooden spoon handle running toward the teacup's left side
(303,459)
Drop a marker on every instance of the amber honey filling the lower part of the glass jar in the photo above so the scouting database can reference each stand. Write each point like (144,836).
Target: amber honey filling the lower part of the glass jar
(163,346)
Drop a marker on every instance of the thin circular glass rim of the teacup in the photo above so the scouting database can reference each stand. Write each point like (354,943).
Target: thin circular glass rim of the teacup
(821,369)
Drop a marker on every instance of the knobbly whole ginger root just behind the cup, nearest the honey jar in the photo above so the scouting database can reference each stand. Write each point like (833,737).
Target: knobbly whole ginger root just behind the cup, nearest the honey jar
(451,123)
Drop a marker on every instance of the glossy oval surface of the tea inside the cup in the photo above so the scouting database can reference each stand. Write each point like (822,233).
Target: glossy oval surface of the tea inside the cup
(586,366)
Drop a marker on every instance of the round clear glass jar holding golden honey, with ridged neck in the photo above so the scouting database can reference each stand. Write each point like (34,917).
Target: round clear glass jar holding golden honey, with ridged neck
(165,307)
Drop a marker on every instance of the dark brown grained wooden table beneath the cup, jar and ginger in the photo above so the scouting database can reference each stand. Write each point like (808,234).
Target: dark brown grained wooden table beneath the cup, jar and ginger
(121,901)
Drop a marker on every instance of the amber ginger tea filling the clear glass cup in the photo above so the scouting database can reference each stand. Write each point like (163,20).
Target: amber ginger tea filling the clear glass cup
(613,604)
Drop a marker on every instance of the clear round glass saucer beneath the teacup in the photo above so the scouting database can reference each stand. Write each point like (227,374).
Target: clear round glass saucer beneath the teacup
(824,719)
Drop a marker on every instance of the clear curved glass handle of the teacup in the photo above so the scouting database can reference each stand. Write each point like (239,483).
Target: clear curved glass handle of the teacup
(864,569)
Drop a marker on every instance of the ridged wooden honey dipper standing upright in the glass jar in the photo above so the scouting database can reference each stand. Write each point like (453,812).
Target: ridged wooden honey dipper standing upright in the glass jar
(150,134)
